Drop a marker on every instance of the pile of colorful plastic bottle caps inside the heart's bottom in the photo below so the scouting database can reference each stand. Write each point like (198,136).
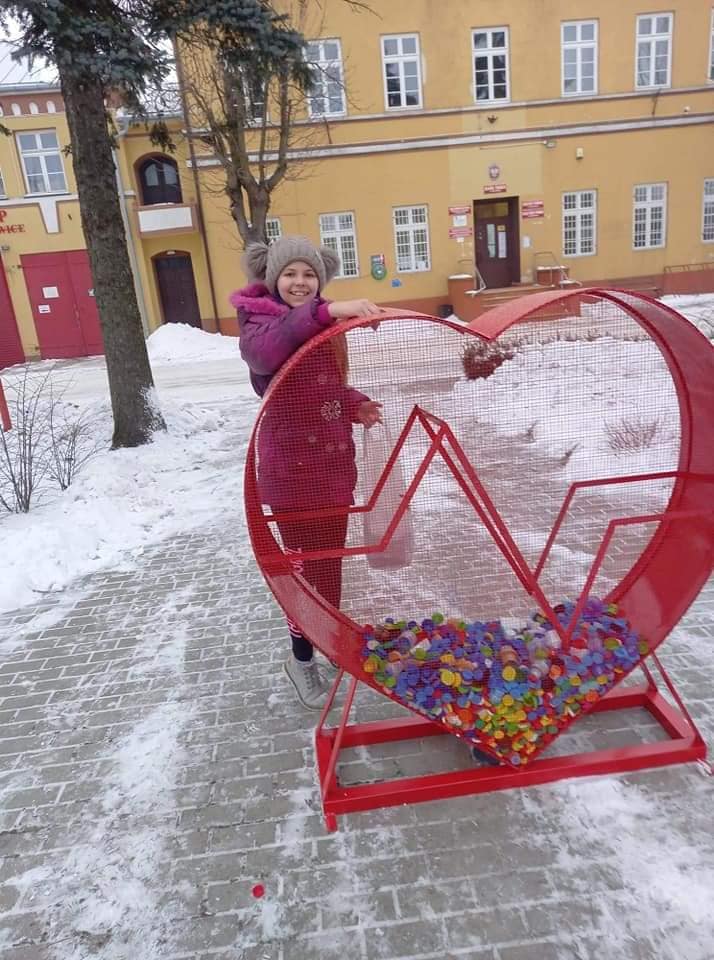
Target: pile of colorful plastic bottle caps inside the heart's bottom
(510,691)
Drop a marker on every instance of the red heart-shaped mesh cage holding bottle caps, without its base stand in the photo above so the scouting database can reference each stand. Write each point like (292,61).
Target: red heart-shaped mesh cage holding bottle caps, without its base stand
(547,484)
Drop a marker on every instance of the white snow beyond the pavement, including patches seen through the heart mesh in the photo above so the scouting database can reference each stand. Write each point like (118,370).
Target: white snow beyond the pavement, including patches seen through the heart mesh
(125,500)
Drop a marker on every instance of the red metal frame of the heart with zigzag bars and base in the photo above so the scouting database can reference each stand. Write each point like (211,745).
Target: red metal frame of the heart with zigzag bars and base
(675,564)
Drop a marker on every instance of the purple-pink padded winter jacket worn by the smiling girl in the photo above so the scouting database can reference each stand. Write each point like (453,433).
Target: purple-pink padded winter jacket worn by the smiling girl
(306,455)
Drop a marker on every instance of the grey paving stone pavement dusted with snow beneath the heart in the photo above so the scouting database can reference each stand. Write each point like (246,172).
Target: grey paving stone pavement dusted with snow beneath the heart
(154,767)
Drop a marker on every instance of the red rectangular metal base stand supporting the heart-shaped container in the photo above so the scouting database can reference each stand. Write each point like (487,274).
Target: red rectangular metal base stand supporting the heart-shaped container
(685,744)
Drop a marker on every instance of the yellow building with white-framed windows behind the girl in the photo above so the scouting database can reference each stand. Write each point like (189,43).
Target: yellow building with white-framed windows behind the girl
(495,143)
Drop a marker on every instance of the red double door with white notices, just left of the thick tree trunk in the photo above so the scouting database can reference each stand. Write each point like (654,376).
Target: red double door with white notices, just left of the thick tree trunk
(61,296)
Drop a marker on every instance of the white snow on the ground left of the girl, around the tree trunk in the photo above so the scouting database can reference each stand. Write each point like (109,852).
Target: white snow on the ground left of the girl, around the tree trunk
(125,500)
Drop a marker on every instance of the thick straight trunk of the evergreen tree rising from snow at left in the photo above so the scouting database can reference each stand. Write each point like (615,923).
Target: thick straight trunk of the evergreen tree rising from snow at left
(131,385)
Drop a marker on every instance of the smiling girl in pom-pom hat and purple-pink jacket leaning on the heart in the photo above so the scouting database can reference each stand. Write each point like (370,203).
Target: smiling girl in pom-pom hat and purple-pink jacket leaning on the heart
(306,455)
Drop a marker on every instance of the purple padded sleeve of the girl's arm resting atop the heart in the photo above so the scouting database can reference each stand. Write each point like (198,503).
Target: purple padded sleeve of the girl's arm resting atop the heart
(266,342)
